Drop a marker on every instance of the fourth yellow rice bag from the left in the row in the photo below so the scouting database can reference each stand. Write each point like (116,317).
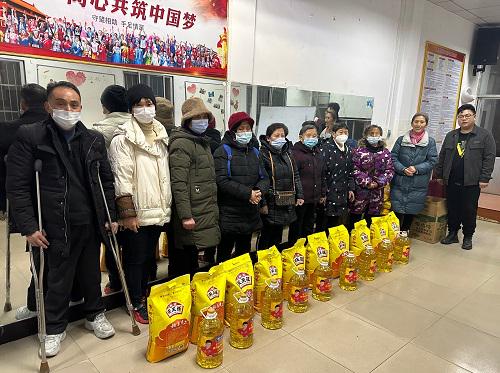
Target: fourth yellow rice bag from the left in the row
(268,266)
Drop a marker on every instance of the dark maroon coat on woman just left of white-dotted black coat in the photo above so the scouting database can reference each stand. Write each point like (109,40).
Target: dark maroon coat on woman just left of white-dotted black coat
(311,168)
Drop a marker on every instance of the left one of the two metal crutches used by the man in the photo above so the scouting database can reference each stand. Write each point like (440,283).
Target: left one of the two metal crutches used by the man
(38,277)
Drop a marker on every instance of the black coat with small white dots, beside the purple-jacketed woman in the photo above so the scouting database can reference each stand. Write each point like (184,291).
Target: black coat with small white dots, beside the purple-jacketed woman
(339,178)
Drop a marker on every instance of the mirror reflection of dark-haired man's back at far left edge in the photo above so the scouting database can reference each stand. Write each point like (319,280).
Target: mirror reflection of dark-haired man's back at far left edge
(33,97)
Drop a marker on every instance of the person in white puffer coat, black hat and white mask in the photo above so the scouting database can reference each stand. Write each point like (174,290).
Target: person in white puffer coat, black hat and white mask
(139,159)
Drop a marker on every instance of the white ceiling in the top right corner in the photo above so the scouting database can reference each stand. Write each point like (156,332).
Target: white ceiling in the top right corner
(480,12)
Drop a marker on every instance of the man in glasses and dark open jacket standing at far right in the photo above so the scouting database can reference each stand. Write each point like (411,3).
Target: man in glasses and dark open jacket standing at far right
(465,165)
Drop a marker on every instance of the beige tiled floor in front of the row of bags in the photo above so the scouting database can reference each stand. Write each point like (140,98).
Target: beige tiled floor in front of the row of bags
(441,313)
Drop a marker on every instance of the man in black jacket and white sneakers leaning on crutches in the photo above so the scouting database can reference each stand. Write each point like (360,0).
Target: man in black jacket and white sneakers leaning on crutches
(73,210)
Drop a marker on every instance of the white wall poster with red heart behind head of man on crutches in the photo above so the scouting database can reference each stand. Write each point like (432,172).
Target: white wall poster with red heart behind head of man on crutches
(90,85)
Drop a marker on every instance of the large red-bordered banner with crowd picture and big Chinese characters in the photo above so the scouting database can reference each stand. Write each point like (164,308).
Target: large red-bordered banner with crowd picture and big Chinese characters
(177,36)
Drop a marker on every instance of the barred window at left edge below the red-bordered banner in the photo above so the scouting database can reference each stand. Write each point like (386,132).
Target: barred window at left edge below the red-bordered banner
(11,81)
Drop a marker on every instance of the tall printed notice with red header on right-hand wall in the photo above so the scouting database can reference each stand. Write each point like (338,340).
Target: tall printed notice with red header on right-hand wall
(440,88)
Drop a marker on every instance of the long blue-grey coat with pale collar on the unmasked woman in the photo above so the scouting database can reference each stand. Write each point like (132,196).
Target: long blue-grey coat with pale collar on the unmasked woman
(408,192)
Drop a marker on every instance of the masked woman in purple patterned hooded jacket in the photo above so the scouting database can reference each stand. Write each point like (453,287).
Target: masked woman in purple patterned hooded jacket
(373,170)
